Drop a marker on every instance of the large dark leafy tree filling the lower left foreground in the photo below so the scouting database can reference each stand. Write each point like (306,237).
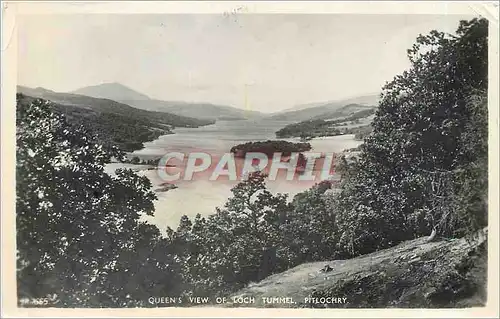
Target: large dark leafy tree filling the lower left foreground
(79,234)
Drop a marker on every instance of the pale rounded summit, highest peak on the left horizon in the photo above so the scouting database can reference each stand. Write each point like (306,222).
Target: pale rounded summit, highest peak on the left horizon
(112,91)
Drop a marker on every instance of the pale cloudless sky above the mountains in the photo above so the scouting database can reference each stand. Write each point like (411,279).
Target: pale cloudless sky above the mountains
(264,62)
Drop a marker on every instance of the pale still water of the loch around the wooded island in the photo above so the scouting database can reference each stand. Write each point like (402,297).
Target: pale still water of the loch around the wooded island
(203,196)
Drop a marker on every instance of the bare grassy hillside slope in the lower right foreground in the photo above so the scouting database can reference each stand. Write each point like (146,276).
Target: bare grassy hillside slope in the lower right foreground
(416,273)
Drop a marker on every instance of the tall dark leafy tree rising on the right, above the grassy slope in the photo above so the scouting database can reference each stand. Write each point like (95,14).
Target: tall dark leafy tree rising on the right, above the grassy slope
(422,141)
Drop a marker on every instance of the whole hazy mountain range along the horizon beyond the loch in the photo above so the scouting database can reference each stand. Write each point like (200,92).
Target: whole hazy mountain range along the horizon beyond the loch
(124,95)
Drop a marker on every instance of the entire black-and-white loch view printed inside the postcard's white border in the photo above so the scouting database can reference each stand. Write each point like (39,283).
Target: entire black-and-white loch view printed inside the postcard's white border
(252,160)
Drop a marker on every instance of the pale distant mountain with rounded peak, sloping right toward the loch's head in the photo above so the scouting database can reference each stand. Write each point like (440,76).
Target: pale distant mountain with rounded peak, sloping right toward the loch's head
(205,111)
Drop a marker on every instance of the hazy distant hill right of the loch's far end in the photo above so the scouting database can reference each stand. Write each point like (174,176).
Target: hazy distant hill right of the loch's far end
(324,110)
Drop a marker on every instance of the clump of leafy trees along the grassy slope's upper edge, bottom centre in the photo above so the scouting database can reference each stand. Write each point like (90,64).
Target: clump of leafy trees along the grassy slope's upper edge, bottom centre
(253,236)
